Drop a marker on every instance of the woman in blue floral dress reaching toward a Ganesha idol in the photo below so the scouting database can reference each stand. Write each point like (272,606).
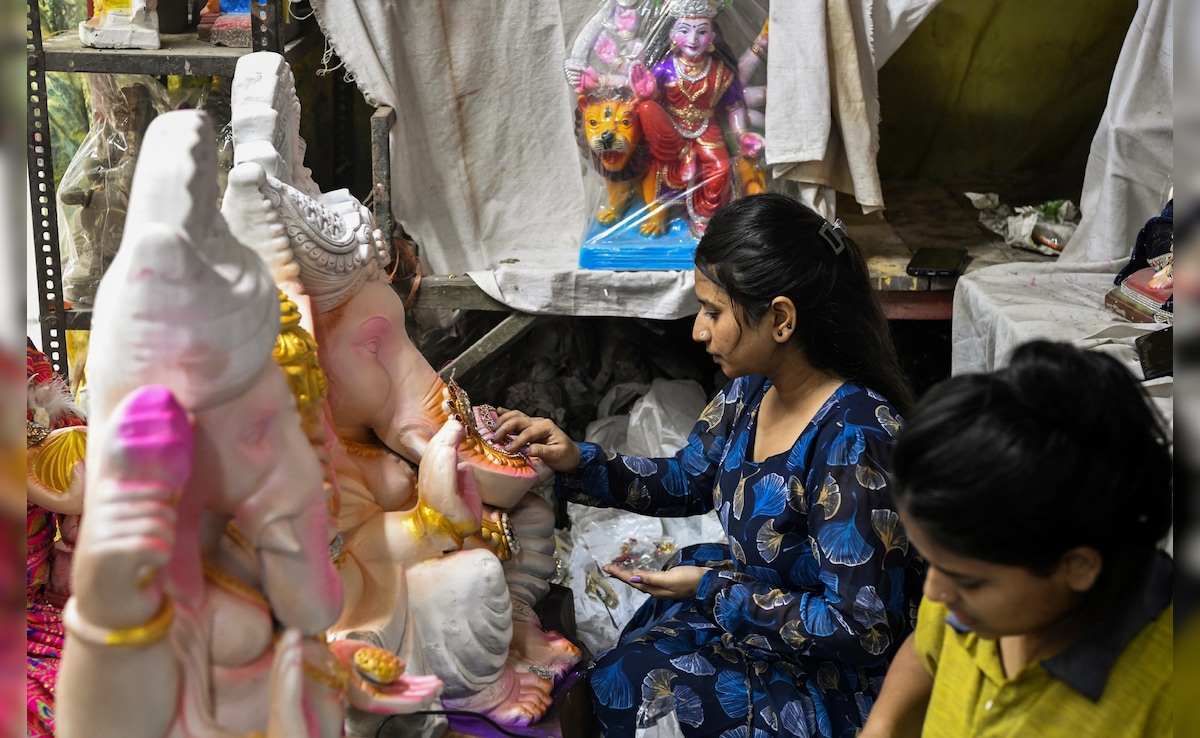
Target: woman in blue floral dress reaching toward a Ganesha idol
(788,627)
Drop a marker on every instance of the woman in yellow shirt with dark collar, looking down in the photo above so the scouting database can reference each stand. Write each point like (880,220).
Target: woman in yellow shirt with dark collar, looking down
(1039,495)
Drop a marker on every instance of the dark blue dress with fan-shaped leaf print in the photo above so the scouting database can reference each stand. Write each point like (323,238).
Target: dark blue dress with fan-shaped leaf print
(809,598)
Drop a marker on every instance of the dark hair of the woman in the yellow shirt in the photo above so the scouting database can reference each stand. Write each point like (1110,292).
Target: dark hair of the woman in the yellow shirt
(1058,451)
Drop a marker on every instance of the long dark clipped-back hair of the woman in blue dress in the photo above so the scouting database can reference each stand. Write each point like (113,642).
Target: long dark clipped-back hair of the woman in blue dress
(770,245)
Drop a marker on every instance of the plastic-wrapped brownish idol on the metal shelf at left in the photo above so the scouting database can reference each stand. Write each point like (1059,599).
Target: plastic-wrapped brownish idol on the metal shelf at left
(95,189)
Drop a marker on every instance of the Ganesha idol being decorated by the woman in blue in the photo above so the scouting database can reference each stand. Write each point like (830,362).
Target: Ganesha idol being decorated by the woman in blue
(446,550)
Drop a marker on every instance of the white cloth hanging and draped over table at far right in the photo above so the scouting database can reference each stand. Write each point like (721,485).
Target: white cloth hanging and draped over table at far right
(1126,183)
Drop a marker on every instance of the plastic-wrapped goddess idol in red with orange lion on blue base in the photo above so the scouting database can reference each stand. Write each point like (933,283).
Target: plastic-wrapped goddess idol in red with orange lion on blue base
(669,118)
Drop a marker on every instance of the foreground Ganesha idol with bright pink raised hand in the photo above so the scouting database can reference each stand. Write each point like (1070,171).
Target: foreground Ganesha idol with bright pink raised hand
(202,579)
